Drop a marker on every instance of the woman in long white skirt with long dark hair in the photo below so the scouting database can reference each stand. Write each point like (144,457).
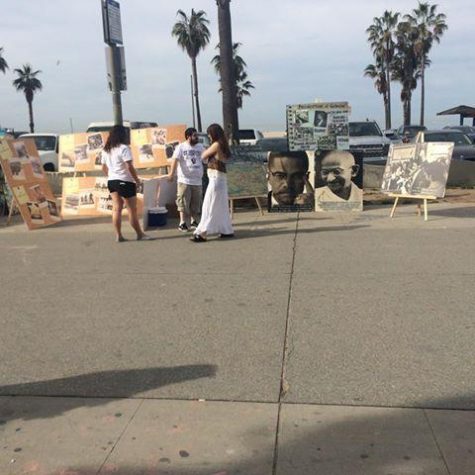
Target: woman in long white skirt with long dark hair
(215,217)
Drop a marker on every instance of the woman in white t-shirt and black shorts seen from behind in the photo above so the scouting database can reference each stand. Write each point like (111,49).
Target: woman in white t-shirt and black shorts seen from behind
(122,180)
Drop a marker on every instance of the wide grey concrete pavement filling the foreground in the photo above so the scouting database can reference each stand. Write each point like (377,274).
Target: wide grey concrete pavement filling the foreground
(307,345)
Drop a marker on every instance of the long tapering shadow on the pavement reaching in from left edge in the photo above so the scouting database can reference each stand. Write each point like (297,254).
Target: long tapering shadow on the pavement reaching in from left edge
(93,389)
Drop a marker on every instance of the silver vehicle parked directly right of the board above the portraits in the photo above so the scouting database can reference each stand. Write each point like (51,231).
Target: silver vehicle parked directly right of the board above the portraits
(366,137)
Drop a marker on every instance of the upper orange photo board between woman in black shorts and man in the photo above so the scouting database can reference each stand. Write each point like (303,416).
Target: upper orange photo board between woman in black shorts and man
(153,147)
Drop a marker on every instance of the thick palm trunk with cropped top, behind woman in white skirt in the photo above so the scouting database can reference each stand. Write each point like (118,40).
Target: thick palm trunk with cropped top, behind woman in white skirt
(228,81)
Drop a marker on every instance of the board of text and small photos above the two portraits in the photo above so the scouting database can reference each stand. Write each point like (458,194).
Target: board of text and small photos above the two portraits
(318,126)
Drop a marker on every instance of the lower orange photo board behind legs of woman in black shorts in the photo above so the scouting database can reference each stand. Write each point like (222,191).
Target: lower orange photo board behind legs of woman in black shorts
(89,196)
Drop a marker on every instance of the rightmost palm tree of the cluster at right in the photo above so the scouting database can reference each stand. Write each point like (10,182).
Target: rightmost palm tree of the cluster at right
(431,27)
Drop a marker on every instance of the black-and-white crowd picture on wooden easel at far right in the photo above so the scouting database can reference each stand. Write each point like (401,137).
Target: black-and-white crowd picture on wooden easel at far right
(419,170)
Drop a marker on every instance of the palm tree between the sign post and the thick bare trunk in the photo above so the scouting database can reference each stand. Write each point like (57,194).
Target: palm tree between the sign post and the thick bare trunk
(192,36)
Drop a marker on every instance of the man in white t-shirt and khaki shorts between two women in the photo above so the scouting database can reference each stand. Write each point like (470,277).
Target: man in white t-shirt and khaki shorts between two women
(188,166)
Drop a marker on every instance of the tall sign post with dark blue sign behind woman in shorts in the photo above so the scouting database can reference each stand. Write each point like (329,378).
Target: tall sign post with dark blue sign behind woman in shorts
(115,56)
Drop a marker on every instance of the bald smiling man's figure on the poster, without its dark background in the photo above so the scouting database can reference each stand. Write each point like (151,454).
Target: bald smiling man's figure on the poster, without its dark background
(337,170)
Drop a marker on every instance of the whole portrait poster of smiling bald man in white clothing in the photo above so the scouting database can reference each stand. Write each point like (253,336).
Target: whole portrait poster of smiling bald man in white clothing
(338,181)
